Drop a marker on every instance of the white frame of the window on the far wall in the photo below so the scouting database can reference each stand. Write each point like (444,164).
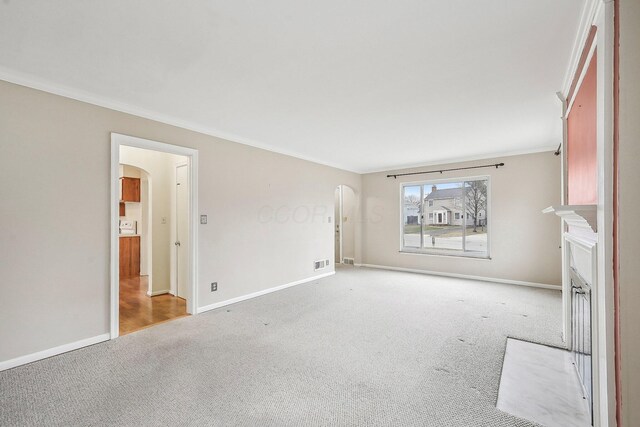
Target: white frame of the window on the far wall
(444,252)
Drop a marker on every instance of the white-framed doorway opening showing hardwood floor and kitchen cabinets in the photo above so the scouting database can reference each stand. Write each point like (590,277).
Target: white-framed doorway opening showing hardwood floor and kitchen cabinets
(153,236)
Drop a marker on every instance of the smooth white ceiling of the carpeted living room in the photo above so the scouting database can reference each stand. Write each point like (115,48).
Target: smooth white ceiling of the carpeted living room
(363,85)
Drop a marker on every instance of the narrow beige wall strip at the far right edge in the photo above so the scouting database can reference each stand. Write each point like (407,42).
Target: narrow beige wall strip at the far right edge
(629,206)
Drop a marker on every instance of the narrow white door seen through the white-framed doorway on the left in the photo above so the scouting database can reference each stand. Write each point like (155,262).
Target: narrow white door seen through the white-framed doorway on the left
(182,231)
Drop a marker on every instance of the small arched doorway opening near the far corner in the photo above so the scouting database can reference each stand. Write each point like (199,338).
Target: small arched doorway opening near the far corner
(344,230)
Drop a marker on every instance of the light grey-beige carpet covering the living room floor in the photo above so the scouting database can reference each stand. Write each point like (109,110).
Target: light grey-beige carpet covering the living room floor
(363,347)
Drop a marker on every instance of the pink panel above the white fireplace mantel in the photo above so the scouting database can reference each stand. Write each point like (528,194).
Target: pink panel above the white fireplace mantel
(582,178)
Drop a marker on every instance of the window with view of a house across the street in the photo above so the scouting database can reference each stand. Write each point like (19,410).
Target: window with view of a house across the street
(456,225)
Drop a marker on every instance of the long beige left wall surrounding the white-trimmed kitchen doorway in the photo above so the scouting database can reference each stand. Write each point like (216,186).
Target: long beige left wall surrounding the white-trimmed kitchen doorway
(268,216)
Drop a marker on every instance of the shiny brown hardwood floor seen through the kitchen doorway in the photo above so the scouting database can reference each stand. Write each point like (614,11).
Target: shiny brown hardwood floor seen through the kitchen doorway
(139,311)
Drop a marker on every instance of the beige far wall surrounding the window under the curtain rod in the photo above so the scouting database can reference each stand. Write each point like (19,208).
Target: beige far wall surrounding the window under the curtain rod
(524,242)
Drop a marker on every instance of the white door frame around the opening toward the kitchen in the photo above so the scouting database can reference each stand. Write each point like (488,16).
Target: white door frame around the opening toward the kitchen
(118,140)
